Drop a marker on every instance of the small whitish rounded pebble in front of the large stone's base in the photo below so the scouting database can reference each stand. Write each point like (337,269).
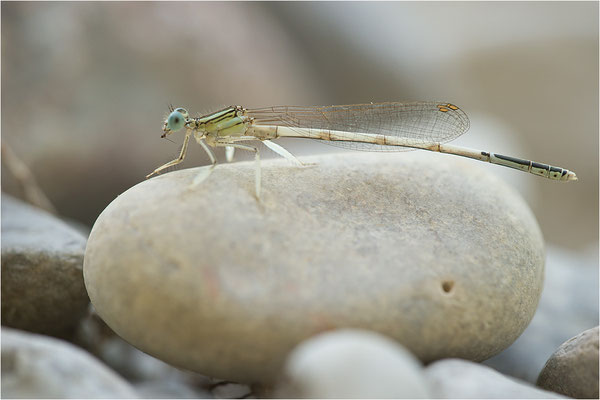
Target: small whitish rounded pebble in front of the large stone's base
(352,364)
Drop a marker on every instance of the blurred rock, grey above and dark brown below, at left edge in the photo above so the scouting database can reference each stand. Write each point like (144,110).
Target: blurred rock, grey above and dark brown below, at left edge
(42,279)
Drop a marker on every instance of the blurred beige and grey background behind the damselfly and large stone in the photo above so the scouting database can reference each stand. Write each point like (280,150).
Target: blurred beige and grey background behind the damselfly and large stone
(85,86)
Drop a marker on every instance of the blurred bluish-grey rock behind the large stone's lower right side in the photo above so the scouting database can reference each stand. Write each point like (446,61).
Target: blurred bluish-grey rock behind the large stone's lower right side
(569,305)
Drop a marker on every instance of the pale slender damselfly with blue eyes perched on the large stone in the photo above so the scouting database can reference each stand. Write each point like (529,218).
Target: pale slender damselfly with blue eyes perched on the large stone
(373,127)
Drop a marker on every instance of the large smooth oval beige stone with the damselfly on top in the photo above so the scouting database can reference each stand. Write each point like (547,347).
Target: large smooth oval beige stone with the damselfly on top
(430,250)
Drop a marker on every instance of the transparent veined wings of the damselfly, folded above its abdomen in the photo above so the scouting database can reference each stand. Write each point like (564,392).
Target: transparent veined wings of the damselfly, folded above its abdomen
(424,122)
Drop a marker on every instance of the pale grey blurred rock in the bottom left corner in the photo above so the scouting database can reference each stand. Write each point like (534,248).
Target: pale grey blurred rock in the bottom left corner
(36,366)
